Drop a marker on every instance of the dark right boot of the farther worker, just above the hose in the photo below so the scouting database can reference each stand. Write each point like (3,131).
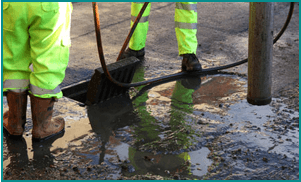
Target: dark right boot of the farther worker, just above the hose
(191,63)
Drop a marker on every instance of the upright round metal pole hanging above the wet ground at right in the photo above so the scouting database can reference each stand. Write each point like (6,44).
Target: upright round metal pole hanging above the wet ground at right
(261,22)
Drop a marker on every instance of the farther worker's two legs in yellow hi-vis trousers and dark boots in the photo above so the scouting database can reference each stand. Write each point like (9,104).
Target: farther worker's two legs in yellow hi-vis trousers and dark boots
(185,27)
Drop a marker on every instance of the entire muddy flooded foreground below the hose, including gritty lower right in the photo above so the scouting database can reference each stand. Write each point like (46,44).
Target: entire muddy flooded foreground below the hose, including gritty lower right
(194,128)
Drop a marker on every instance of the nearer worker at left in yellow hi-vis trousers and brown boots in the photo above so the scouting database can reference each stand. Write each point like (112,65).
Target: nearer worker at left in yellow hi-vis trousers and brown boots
(36,33)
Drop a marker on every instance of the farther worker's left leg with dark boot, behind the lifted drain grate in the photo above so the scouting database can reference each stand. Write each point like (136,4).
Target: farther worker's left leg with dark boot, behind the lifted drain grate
(137,42)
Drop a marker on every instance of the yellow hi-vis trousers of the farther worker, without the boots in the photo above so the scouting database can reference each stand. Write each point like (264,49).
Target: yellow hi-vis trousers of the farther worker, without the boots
(185,26)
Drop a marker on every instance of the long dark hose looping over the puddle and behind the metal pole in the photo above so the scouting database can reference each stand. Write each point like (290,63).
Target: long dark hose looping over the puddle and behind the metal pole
(179,74)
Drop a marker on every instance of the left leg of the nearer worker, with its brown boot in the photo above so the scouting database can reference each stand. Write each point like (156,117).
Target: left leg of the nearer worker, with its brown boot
(16,61)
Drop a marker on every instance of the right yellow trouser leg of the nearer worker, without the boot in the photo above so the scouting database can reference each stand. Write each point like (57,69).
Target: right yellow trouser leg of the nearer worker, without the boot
(49,41)
